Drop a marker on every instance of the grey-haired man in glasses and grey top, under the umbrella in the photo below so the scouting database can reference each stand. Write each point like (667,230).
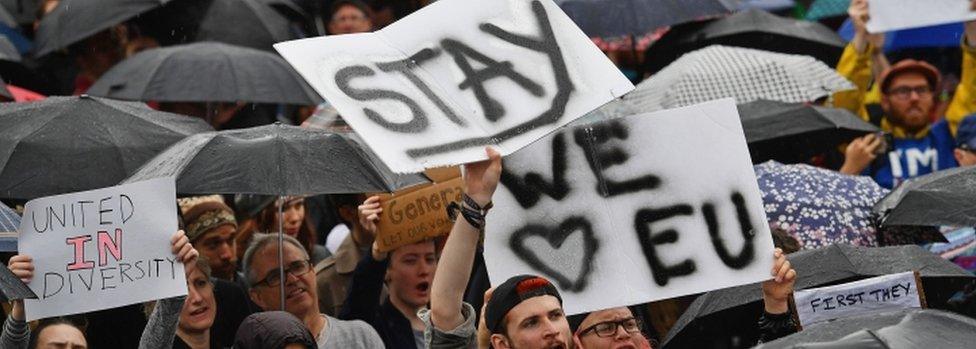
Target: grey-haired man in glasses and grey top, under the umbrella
(262,271)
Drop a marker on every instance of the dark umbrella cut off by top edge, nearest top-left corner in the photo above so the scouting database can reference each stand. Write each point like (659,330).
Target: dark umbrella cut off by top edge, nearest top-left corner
(74,20)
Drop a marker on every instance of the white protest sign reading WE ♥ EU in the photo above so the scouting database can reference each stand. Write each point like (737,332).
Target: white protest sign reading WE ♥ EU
(632,210)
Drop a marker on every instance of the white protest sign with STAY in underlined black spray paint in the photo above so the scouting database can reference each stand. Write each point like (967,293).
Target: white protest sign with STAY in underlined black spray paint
(436,87)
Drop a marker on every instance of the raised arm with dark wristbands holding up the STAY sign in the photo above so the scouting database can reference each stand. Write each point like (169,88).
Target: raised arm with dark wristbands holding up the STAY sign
(457,258)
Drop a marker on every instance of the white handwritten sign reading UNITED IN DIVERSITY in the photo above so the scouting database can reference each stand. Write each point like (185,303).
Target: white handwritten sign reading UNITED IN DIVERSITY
(102,248)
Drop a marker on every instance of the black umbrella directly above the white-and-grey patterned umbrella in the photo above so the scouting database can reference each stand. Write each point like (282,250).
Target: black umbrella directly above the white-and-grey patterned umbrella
(752,29)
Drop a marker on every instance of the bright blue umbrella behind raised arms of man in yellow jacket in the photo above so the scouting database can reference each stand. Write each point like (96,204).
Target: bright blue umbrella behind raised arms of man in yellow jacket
(945,35)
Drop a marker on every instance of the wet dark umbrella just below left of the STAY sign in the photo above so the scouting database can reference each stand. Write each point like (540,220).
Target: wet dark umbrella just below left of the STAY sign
(274,159)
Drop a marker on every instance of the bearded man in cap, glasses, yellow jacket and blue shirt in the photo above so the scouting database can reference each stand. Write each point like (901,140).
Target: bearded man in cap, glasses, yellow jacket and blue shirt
(908,92)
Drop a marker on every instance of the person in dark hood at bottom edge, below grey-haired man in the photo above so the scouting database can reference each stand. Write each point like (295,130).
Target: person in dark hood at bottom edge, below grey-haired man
(273,330)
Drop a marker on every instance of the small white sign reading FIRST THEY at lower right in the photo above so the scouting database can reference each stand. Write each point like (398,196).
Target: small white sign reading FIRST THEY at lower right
(874,295)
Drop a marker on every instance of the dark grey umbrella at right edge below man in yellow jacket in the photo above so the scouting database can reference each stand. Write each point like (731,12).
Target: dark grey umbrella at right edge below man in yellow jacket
(940,198)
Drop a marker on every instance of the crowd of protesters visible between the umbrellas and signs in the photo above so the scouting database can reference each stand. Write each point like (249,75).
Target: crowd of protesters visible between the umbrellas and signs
(334,287)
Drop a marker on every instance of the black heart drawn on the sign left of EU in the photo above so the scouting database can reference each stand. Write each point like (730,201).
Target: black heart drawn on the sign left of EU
(556,237)
